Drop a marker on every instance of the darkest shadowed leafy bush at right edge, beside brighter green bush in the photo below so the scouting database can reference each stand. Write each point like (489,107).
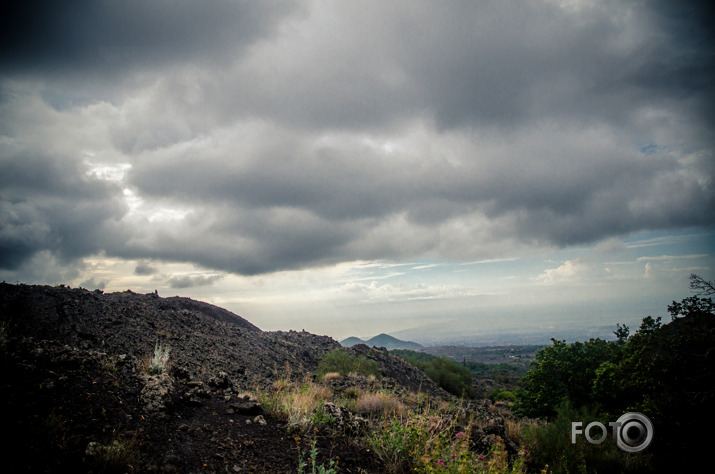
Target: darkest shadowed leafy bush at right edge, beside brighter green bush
(666,372)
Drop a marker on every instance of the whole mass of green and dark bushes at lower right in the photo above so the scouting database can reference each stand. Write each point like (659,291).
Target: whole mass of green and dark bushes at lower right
(664,370)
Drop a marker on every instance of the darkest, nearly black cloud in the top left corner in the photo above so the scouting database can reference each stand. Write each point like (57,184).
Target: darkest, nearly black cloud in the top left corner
(108,37)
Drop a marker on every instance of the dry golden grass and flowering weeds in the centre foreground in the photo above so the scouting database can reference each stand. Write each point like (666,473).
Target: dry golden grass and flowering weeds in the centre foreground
(409,432)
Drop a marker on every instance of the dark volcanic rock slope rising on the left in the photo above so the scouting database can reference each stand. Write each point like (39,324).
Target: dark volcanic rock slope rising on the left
(69,359)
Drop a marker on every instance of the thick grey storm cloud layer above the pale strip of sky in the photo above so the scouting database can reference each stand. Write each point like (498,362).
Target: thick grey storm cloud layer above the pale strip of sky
(334,131)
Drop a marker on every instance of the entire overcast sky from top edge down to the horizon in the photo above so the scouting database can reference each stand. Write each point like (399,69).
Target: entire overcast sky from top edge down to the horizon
(358,167)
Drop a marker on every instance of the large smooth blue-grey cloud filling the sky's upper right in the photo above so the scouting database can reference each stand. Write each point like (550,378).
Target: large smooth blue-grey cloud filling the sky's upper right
(477,63)
